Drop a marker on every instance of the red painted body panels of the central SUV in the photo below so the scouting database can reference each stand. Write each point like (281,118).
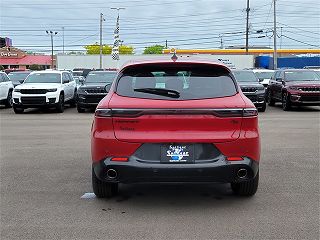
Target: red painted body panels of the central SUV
(122,136)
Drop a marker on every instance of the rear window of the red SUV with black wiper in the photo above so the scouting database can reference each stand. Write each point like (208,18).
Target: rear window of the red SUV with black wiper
(176,82)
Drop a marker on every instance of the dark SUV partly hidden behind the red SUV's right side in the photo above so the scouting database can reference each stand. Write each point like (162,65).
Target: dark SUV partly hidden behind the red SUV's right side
(251,88)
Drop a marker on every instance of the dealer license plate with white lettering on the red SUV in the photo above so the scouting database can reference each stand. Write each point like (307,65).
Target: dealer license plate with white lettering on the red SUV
(177,153)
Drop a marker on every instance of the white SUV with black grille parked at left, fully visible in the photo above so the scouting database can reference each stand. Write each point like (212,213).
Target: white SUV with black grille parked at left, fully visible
(45,89)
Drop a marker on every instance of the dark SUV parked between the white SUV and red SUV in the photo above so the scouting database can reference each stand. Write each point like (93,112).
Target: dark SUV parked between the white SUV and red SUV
(94,88)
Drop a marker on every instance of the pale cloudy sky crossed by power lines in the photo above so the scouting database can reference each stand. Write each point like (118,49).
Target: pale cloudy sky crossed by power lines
(185,24)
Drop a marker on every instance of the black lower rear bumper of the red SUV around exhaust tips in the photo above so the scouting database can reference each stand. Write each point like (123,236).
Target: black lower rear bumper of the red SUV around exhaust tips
(220,170)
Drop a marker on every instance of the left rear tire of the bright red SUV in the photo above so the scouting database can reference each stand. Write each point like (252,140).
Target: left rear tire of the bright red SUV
(103,189)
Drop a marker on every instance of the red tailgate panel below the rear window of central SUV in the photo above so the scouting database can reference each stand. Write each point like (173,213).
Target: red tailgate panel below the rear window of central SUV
(144,120)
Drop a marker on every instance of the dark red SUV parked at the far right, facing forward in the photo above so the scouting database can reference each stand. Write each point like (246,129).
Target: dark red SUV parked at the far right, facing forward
(294,87)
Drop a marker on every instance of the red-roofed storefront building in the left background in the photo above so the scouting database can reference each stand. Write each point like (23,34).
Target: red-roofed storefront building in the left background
(13,58)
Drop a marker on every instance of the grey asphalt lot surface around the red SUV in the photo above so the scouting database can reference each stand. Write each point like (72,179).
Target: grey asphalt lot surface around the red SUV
(45,168)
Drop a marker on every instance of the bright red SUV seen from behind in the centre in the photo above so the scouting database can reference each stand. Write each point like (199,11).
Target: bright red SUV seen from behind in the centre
(175,121)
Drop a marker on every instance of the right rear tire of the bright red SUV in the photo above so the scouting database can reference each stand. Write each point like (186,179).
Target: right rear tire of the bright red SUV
(247,188)
